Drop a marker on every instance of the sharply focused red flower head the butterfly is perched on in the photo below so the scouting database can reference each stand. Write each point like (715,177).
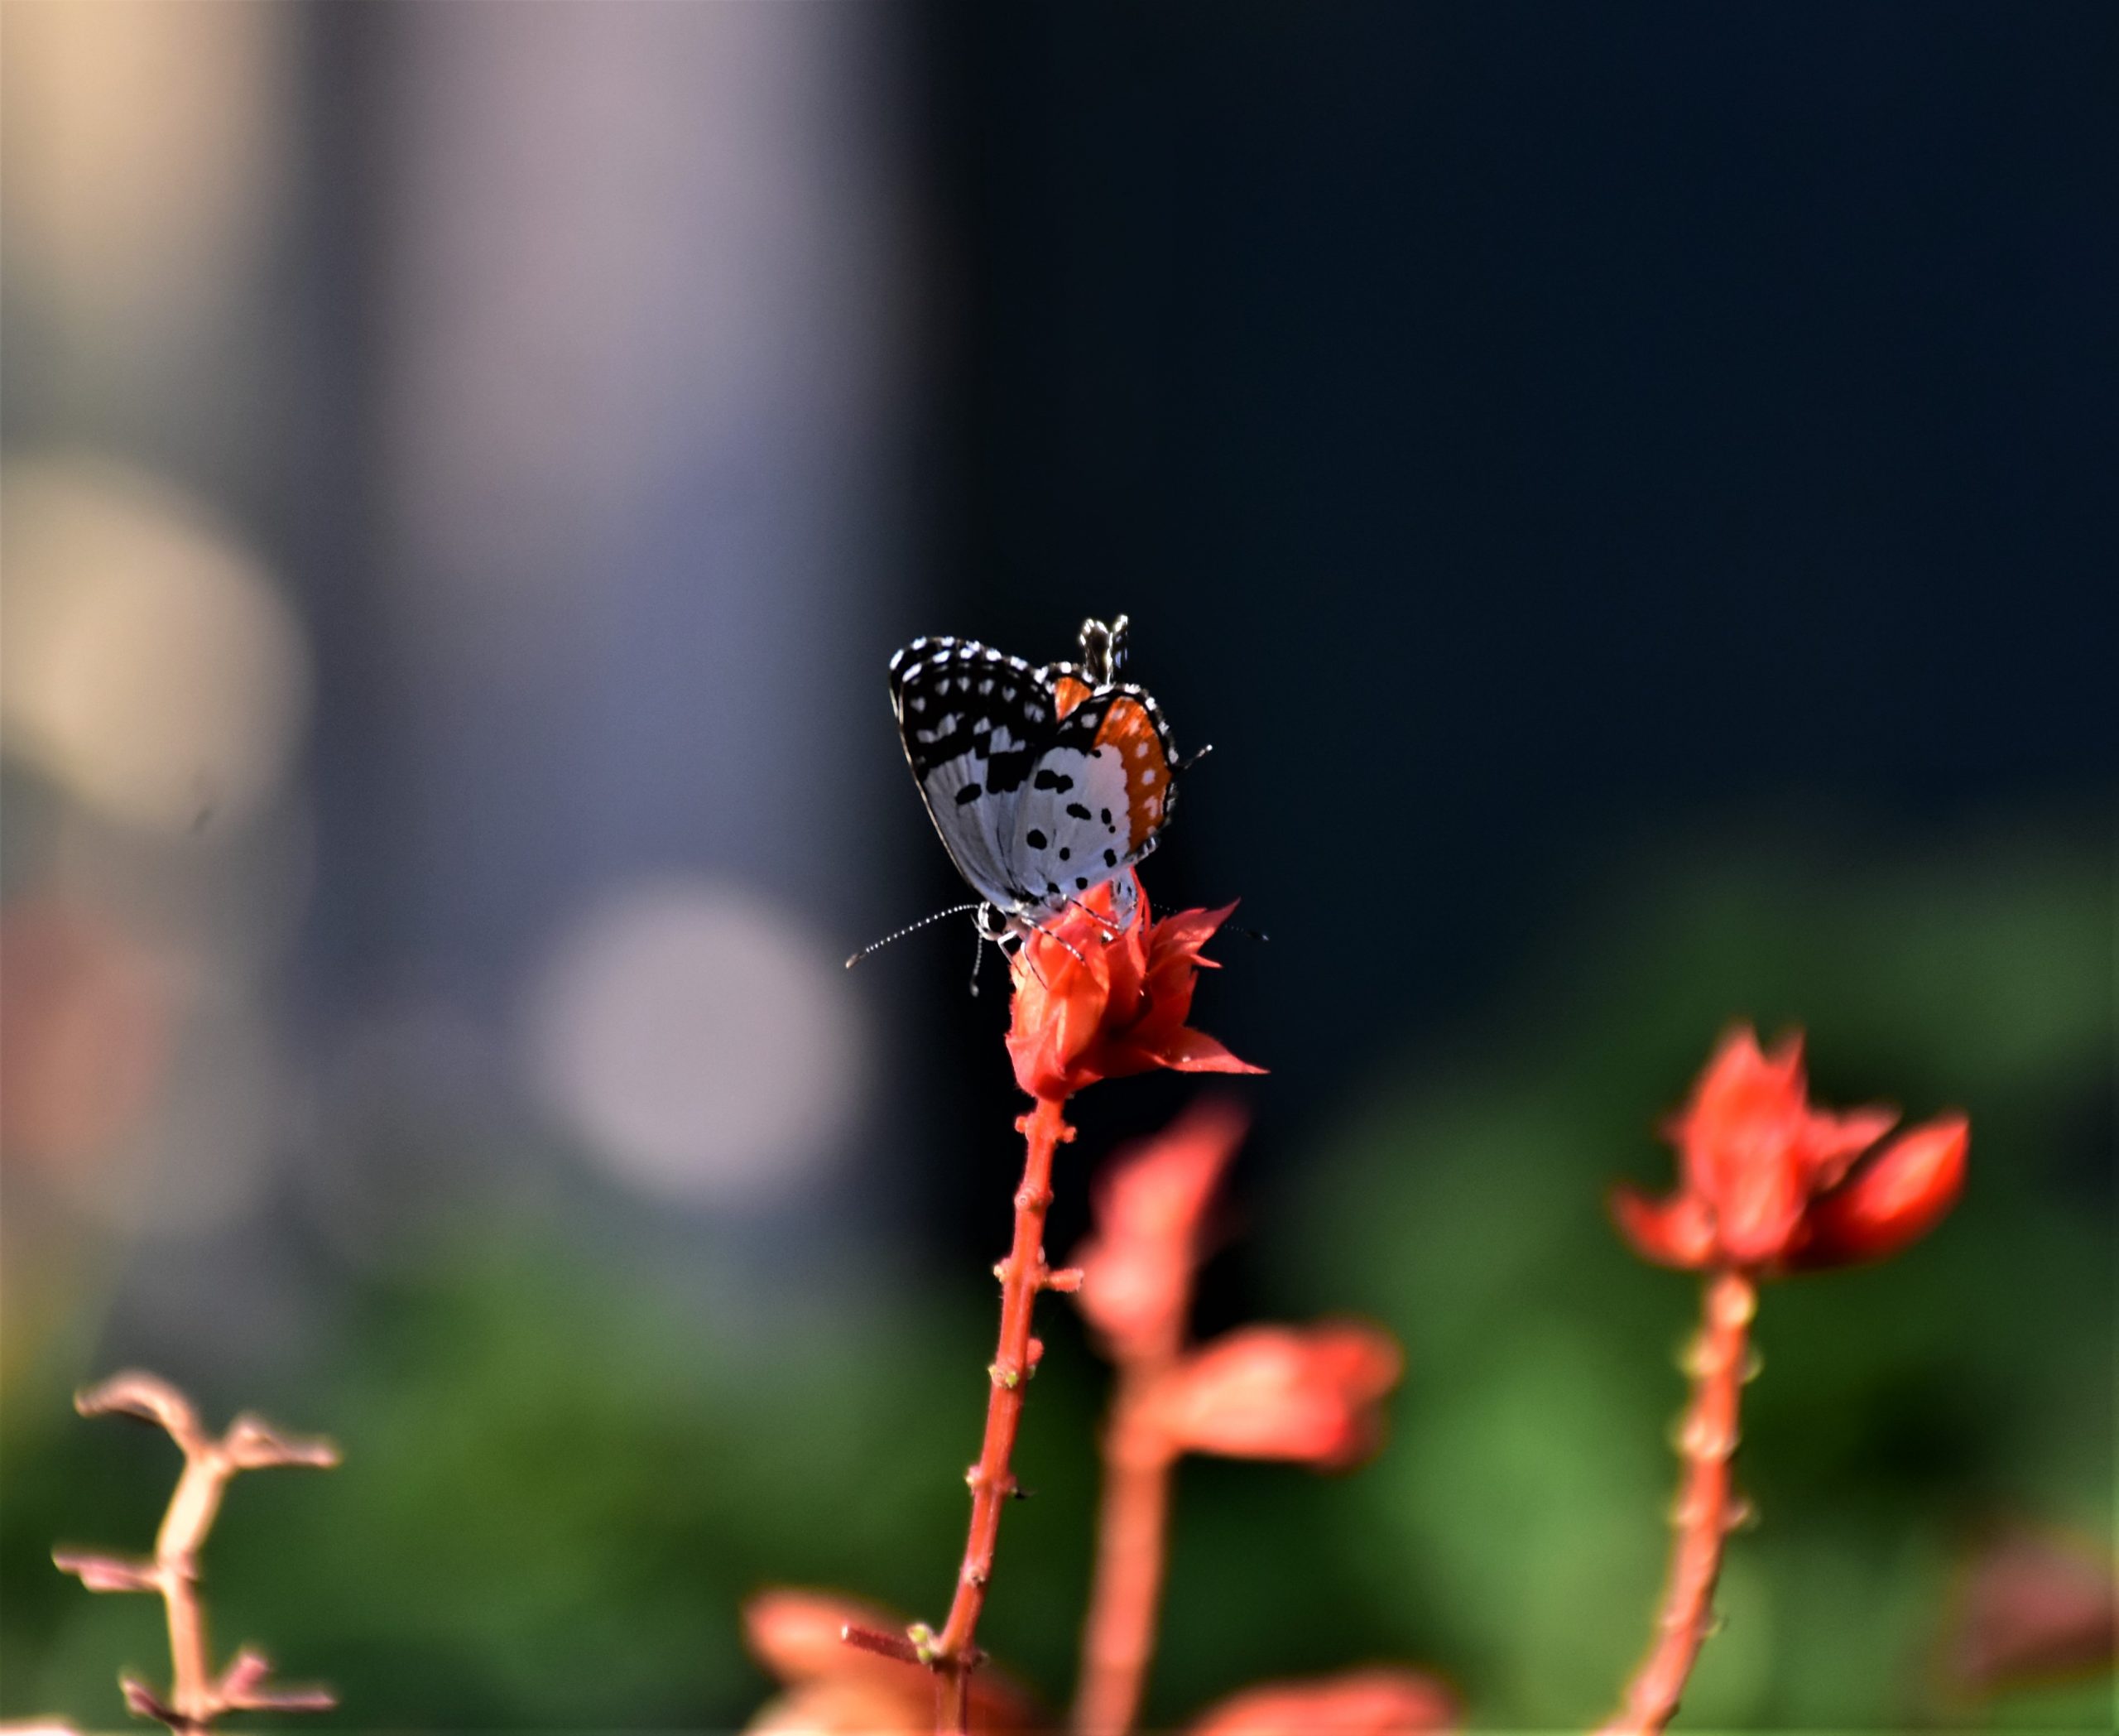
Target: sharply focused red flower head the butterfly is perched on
(1092,1004)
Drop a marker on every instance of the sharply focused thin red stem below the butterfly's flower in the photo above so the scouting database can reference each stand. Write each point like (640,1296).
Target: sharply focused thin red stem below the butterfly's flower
(1022,1275)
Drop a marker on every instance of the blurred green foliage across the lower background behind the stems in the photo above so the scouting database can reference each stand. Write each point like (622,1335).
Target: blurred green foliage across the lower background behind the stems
(558,1487)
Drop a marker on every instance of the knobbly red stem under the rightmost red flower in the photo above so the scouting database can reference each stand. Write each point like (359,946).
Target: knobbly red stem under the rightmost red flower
(1707,1506)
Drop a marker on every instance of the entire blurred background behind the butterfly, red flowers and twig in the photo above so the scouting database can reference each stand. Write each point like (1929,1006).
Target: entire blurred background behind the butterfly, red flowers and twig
(1626,493)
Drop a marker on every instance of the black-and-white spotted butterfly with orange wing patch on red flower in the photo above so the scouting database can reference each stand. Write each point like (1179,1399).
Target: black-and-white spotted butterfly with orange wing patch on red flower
(1044,783)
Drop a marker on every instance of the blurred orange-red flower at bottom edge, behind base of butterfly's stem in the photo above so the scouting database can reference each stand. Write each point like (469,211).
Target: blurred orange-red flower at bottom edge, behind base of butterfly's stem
(842,1690)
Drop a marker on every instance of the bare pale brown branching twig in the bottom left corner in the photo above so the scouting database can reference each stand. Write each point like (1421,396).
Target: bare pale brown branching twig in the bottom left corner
(196,1695)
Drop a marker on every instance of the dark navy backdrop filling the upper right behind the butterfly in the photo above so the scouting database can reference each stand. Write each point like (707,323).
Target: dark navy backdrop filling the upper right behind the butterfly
(1525,431)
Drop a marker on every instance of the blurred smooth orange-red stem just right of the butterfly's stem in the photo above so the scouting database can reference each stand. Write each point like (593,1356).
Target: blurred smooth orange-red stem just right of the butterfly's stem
(1120,1635)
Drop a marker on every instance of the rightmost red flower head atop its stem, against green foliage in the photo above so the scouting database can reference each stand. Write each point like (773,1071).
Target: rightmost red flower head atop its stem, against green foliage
(1770,1184)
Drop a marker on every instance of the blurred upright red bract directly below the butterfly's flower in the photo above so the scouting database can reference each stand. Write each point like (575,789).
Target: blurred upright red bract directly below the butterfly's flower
(1137,1266)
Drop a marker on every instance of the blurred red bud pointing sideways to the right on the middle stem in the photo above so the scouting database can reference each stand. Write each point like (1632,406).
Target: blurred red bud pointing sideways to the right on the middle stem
(1302,1394)
